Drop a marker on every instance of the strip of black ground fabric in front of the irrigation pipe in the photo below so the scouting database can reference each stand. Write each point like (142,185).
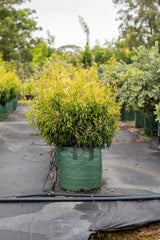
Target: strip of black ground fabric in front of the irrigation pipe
(72,221)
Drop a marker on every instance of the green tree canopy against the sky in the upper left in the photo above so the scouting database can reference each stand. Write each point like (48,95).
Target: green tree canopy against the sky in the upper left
(16,27)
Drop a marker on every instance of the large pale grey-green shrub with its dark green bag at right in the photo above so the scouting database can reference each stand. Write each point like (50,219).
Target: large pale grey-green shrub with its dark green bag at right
(141,85)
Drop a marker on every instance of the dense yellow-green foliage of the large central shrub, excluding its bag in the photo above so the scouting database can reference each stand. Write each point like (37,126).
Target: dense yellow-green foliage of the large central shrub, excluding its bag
(72,107)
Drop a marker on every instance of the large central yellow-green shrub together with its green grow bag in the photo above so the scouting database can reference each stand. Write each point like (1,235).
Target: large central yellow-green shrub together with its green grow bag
(77,114)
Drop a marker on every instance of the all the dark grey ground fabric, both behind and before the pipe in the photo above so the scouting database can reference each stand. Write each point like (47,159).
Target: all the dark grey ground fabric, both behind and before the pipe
(131,167)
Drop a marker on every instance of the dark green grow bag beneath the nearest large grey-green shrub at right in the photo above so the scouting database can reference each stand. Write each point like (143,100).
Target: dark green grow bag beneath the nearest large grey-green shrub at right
(151,126)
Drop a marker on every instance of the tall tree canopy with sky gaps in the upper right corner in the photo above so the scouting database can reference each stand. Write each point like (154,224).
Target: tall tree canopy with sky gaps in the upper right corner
(140,21)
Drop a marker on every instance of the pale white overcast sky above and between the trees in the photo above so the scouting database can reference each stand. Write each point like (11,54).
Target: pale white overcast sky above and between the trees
(60,17)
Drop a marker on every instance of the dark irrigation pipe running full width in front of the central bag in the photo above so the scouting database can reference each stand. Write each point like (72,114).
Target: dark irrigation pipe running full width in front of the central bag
(80,199)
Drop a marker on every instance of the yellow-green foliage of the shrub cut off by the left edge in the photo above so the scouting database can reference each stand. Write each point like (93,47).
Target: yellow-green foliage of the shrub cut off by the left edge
(9,85)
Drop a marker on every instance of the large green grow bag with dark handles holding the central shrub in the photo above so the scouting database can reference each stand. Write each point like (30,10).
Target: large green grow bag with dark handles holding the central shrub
(80,169)
